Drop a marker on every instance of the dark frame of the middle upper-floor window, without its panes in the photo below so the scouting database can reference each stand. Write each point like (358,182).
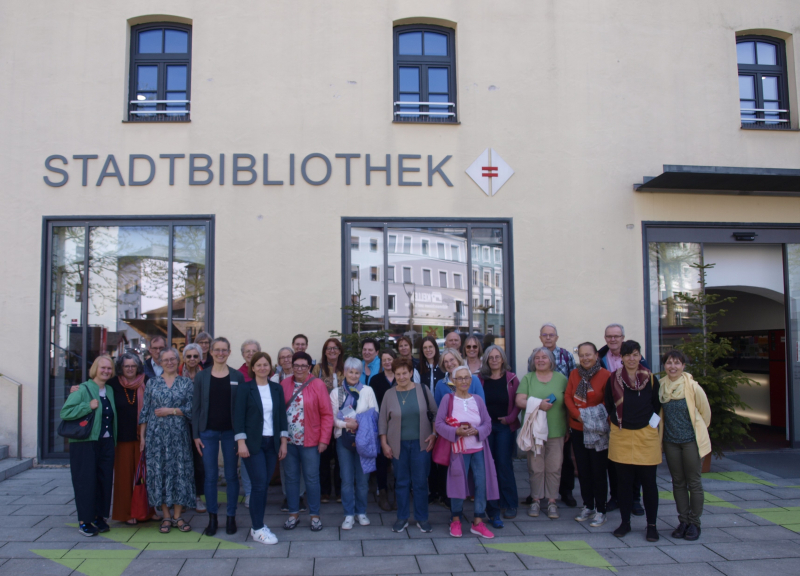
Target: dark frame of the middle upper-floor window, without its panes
(423,62)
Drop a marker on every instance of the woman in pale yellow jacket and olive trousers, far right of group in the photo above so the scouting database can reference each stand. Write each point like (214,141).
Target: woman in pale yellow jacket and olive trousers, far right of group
(687,415)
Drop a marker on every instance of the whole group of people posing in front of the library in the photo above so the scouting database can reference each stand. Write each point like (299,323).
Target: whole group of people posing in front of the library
(448,424)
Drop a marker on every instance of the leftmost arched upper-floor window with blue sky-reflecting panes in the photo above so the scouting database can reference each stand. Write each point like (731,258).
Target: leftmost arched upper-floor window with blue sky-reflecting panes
(160,75)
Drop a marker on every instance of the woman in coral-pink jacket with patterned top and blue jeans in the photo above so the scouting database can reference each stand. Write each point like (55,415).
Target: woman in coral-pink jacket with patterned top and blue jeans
(310,417)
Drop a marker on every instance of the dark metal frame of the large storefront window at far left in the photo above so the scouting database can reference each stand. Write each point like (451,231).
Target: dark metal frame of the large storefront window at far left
(48,222)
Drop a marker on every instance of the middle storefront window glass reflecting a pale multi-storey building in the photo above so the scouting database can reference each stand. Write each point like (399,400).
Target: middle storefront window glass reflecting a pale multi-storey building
(438,278)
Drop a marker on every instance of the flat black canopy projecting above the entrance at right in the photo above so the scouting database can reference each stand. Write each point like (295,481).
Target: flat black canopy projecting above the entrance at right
(724,180)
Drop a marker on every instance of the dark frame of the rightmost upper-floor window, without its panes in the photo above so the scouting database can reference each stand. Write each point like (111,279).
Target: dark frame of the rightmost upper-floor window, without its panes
(780,70)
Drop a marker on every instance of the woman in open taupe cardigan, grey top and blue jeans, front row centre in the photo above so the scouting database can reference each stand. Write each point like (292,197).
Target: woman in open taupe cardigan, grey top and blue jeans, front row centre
(407,438)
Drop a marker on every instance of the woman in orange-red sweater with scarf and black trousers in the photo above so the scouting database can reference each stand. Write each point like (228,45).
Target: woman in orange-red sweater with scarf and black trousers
(586,389)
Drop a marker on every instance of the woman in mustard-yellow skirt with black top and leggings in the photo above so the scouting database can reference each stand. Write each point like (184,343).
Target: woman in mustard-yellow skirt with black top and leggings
(633,405)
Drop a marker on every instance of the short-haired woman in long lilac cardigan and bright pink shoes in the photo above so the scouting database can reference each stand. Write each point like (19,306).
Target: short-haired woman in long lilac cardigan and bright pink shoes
(473,428)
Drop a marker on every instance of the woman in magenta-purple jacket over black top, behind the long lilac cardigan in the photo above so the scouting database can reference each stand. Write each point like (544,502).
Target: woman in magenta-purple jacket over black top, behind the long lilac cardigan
(500,388)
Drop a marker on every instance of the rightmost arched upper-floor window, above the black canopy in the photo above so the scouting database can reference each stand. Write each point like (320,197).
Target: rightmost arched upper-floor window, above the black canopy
(763,88)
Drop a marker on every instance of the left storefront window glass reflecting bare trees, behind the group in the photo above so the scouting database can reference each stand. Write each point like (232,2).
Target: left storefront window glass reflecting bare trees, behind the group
(122,301)
